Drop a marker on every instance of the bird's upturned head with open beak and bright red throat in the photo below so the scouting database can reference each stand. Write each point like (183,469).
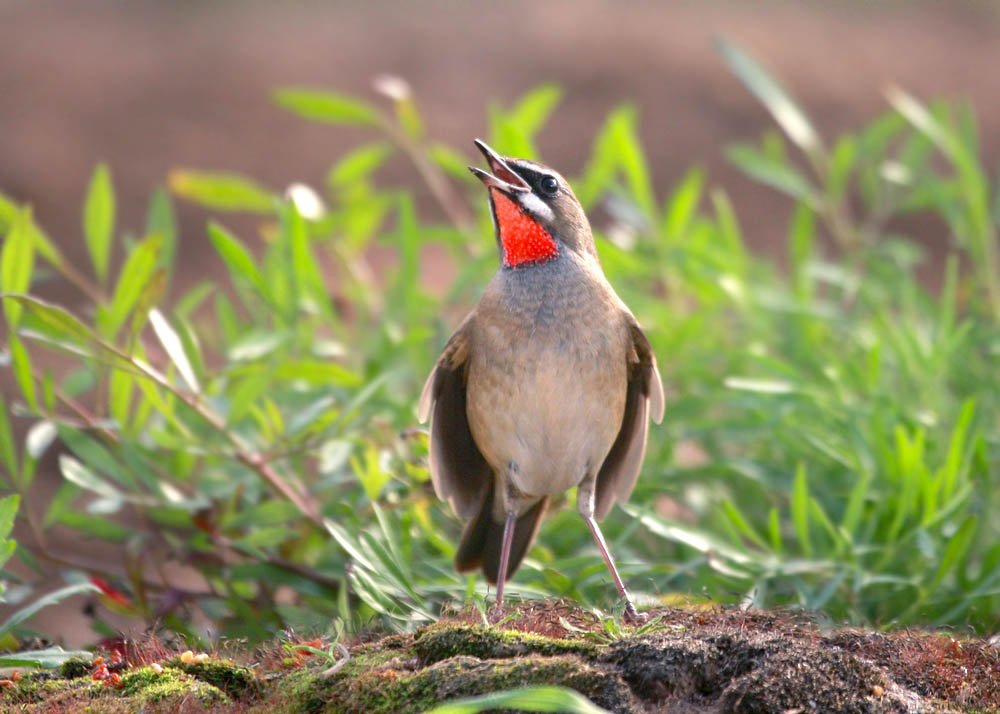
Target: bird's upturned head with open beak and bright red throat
(535,213)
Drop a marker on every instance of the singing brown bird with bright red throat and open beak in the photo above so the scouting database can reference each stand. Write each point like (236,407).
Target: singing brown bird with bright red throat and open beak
(549,383)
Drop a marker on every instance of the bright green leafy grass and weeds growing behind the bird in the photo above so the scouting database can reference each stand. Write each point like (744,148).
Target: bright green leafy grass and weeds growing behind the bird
(830,440)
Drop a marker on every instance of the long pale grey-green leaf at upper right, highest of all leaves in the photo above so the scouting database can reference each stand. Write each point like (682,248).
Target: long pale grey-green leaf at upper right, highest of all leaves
(779,102)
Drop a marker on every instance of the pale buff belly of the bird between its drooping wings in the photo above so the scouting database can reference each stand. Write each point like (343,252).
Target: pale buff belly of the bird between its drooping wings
(543,418)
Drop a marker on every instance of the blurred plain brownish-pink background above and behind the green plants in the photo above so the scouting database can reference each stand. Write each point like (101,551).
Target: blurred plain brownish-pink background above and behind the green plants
(152,86)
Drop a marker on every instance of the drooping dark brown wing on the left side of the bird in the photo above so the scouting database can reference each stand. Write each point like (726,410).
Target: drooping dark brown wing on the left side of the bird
(459,472)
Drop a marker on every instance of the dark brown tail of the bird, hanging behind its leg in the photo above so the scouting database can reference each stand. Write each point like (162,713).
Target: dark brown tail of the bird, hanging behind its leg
(483,538)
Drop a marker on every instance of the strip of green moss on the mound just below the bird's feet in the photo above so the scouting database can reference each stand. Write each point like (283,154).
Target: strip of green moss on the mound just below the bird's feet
(441,641)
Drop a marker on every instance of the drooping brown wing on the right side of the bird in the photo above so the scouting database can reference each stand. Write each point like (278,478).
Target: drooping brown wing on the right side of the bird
(644,398)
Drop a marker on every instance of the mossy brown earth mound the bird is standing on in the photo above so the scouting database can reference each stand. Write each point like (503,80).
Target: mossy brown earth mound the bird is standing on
(686,661)
